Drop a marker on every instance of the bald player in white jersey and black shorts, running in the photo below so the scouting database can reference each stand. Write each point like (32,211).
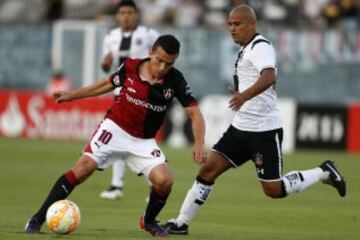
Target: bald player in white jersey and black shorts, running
(256,131)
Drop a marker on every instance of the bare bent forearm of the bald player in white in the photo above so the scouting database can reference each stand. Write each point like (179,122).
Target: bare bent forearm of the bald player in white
(267,79)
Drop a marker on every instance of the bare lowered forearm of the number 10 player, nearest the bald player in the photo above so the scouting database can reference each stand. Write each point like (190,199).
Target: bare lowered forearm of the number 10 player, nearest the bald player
(198,130)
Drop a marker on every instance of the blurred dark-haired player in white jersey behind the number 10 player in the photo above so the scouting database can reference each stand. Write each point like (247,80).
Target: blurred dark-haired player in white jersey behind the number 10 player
(128,40)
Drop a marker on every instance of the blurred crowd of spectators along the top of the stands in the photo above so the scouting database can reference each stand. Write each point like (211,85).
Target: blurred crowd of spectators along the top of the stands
(191,13)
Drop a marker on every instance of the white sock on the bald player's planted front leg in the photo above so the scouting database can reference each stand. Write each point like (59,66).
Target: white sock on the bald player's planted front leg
(195,197)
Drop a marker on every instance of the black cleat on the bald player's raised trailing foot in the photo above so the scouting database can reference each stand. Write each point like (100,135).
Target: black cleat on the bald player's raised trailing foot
(335,179)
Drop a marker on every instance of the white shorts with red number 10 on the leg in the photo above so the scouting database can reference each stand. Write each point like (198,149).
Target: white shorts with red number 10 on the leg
(110,143)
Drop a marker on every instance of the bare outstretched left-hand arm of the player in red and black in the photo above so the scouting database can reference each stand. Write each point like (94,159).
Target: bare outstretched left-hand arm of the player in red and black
(93,90)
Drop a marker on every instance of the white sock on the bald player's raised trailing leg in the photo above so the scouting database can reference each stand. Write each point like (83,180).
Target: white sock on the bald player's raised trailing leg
(297,181)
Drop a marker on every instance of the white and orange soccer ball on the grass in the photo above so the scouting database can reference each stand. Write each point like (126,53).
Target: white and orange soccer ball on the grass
(63,217)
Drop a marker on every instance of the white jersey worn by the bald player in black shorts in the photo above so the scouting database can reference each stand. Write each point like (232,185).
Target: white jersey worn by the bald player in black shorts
(260,113)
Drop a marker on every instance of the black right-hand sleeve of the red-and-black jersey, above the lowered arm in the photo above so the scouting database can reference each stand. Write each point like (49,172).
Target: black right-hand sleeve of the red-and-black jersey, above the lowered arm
(184,93)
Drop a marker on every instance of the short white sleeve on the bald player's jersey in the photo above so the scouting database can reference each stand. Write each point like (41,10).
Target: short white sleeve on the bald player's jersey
(263,56)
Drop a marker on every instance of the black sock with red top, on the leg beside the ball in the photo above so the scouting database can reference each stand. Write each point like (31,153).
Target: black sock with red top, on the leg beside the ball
(61,189)
